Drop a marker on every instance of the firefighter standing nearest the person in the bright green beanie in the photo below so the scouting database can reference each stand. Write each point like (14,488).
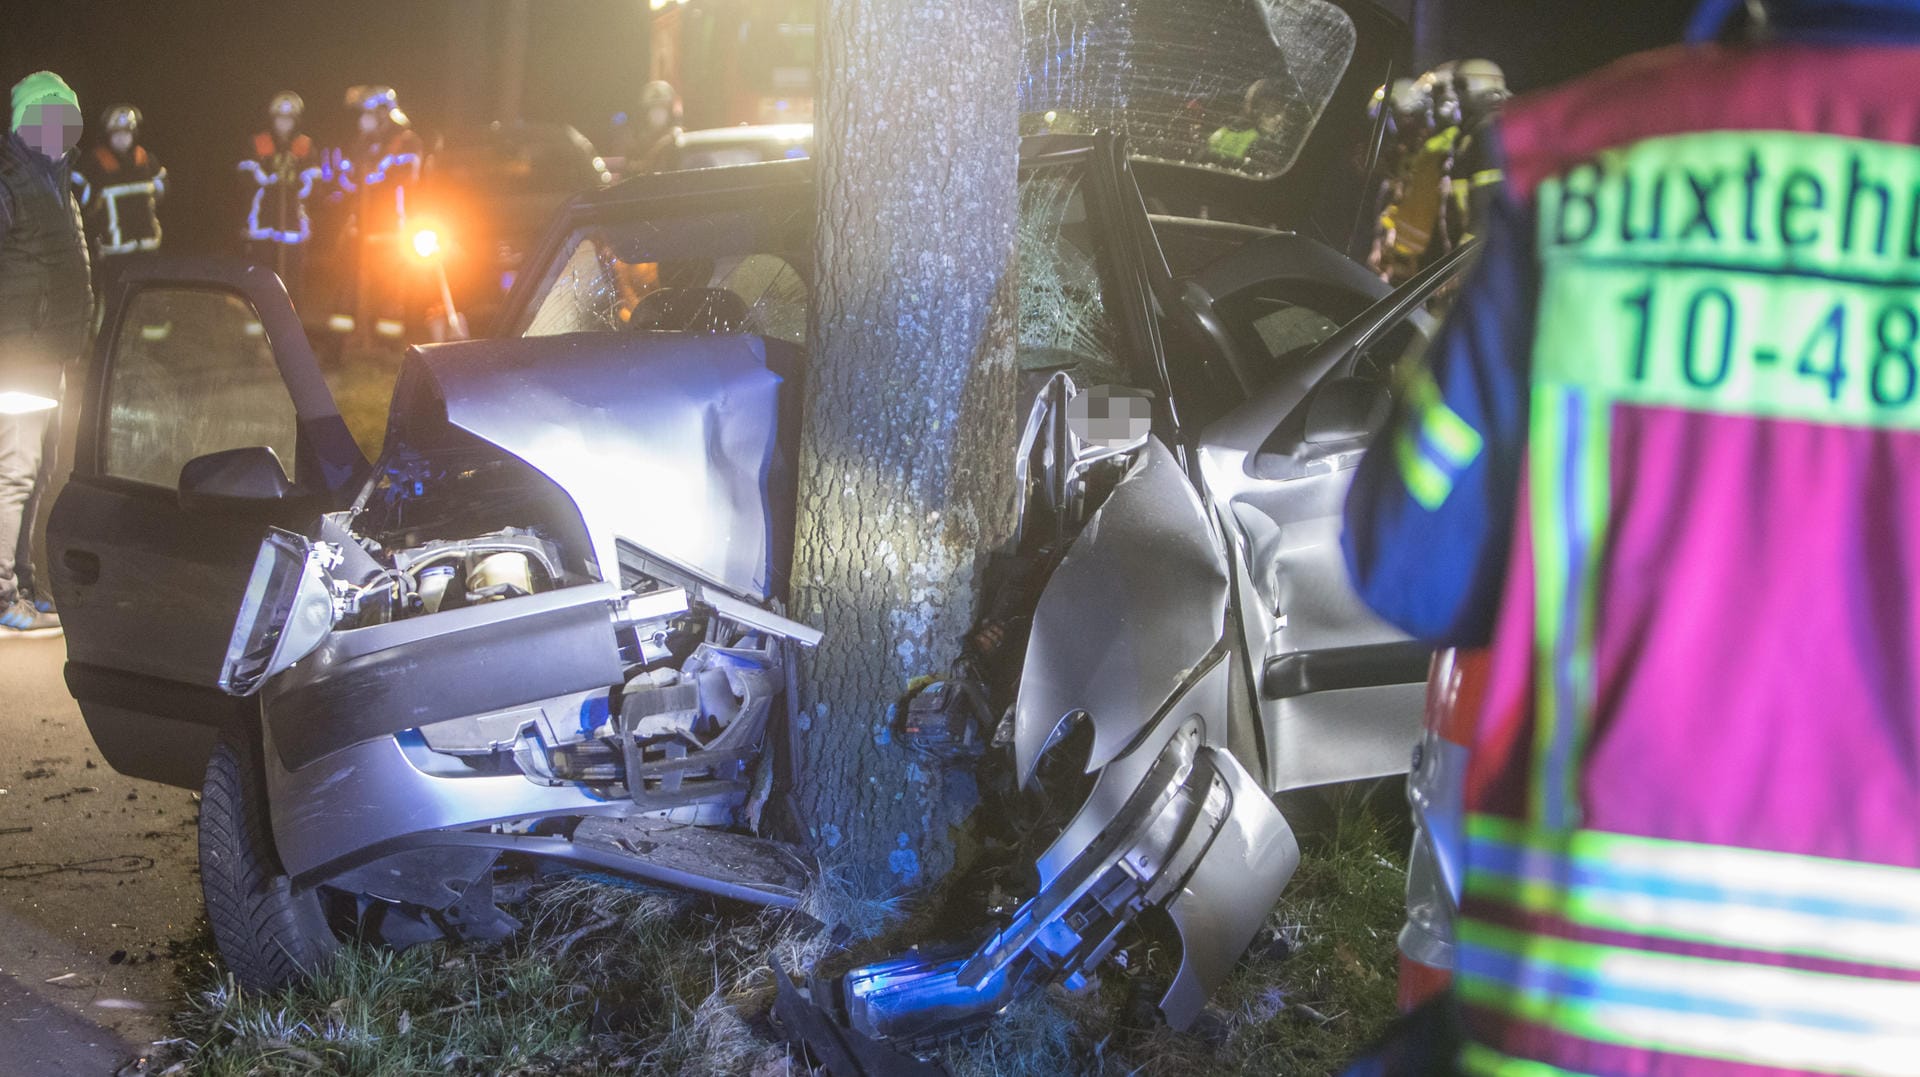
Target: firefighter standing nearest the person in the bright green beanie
(120,187)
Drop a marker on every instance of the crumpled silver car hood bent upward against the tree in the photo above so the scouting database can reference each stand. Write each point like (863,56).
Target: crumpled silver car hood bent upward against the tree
(669,443)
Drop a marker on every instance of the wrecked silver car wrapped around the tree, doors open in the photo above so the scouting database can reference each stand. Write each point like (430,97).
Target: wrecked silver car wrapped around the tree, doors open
(544,627)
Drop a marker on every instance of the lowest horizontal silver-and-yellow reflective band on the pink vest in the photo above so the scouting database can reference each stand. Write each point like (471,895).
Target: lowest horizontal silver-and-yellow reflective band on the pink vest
(1694,1007)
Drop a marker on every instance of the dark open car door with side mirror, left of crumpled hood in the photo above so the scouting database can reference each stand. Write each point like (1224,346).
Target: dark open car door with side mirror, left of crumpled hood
(204,419)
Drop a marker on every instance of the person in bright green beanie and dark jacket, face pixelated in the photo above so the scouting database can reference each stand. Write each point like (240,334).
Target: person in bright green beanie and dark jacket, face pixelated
(45,308)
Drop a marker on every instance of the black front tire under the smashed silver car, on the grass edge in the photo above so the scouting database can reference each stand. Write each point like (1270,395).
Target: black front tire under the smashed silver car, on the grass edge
(268,932)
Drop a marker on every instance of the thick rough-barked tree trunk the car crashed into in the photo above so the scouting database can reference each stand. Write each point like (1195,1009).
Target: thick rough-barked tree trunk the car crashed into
(907,458)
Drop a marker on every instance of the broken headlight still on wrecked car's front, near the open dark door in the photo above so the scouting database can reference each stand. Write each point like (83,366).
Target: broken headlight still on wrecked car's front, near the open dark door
(287,613)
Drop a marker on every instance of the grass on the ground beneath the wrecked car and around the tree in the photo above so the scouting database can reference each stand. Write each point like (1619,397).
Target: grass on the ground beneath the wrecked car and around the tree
(619,980)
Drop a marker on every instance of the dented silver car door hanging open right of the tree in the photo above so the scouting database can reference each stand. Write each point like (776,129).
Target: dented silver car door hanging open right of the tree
(1339,690)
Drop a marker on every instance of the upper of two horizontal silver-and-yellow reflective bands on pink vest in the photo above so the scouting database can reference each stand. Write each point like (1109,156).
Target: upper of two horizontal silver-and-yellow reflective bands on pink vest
(1714,896)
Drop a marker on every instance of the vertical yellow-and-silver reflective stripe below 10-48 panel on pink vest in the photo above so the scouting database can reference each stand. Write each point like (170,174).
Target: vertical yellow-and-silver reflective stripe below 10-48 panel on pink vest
(1568,460)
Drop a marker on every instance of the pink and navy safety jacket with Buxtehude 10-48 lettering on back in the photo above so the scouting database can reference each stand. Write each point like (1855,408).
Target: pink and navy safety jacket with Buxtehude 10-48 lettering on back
(1668,464)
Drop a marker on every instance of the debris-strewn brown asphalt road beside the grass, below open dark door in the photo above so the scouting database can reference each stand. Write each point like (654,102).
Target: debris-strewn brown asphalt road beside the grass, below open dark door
(99,884)
